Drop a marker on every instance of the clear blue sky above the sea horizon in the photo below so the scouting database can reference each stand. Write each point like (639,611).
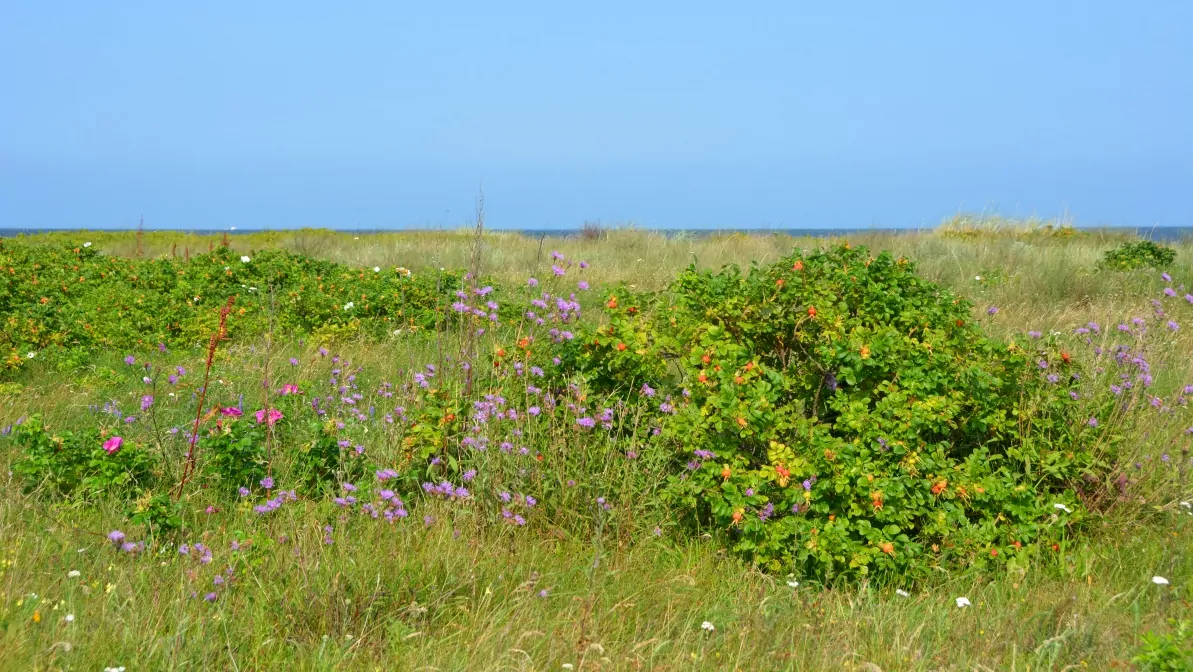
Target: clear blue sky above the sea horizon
(381,114)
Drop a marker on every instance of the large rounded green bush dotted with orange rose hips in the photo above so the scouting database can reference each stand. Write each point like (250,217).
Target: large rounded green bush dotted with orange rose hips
(836,415)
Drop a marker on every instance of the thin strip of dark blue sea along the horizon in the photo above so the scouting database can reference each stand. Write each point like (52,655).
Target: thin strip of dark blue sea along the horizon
(1153,233)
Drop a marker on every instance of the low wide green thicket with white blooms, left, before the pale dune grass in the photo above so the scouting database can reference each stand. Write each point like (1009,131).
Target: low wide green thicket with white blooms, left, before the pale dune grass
(61,305)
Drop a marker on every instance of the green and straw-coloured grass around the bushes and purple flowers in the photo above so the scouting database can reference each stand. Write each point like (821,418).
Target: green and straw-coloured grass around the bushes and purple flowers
(460,594)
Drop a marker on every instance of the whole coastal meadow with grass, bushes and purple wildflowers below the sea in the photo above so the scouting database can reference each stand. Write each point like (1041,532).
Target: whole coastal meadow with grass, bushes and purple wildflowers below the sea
(963,449)
